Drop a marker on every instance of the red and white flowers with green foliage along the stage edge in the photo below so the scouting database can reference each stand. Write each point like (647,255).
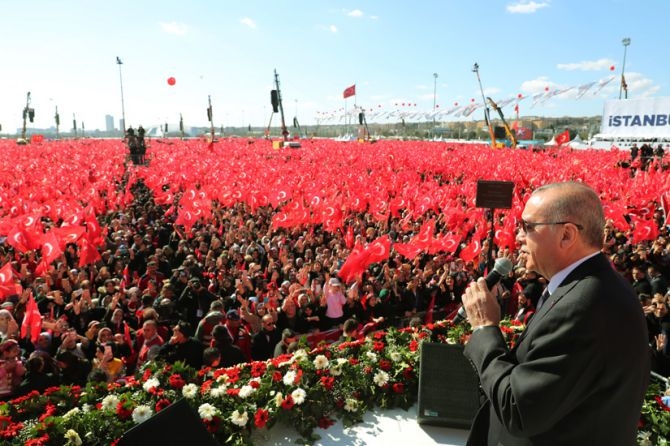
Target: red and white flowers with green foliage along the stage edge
(306,390)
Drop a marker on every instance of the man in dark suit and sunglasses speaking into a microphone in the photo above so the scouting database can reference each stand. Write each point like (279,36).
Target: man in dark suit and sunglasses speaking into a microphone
(579,372)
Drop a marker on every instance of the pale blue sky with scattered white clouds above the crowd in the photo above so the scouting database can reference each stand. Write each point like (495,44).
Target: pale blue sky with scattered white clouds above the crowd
(65,54)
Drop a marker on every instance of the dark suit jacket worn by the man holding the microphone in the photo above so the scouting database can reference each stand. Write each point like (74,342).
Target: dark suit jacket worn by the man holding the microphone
(577,375)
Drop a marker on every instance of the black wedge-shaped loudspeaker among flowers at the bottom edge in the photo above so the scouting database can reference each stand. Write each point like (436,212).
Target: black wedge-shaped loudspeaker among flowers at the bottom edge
(176,424)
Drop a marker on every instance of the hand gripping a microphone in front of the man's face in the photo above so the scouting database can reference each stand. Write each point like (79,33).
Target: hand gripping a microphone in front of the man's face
(482,308)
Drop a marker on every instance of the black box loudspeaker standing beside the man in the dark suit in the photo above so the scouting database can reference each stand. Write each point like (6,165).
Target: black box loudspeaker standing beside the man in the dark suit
(448,387)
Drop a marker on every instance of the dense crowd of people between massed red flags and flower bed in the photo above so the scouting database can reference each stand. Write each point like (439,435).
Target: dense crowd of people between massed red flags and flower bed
(236,289)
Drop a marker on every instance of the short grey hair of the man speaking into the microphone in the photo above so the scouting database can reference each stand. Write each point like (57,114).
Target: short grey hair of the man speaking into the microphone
(577,203)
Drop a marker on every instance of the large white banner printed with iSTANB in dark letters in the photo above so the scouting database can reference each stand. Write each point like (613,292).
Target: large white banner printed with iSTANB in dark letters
(636,118)
